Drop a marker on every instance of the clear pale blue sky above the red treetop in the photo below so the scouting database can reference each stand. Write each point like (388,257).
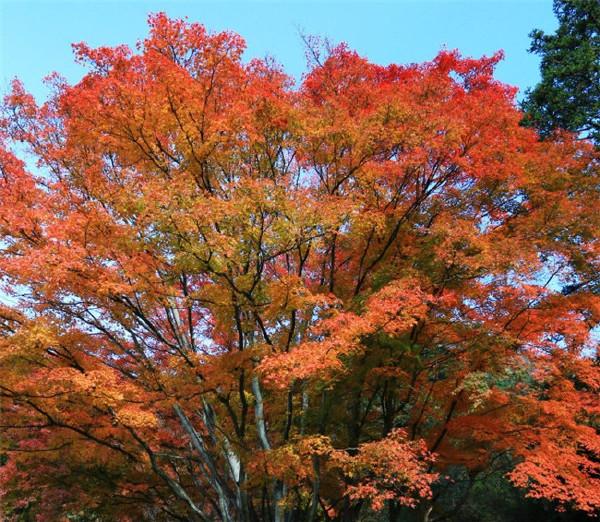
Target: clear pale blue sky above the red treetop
(35,35)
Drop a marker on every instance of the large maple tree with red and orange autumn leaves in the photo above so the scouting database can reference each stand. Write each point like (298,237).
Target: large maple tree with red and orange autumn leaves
(230,298)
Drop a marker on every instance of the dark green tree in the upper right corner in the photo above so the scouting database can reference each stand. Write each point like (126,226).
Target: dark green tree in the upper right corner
(568,95)
